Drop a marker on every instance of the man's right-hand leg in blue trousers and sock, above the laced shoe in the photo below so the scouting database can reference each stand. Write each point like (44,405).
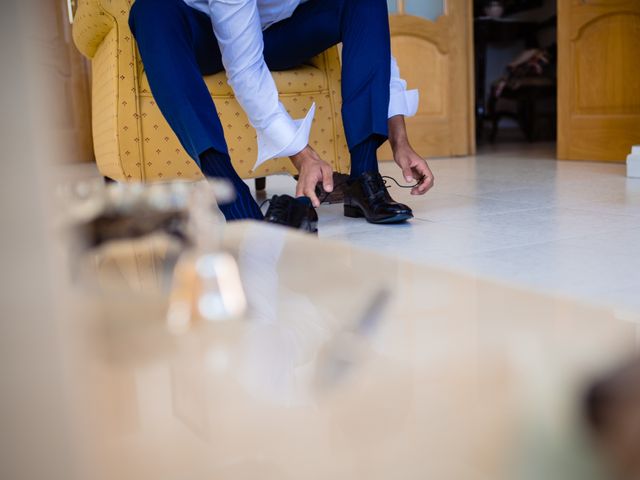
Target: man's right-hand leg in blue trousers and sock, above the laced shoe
(363,28)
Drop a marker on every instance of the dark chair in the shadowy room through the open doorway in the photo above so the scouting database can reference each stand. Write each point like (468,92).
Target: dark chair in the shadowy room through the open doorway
(527,92)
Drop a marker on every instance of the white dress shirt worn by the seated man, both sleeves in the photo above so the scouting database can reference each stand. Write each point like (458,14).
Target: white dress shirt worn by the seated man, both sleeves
(238,26)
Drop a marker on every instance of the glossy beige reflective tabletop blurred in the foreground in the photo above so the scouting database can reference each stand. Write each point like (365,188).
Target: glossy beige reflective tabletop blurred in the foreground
(448,376)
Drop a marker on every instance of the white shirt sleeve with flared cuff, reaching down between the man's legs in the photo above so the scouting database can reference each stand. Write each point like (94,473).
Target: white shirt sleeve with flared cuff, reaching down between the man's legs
(236,24)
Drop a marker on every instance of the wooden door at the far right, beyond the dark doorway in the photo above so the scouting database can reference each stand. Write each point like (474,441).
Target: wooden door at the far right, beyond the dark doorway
(598,79)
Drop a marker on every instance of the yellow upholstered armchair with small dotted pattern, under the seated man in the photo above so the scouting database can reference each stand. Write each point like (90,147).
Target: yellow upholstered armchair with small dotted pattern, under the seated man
(132,140)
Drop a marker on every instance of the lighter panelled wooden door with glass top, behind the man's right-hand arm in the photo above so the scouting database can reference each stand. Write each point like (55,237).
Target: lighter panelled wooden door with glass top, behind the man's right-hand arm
(436,57)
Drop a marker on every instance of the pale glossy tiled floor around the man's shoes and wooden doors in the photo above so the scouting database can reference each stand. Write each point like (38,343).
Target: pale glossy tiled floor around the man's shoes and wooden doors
(516,214)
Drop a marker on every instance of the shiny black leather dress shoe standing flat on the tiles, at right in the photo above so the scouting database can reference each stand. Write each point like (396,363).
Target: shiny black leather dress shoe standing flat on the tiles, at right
(367,197)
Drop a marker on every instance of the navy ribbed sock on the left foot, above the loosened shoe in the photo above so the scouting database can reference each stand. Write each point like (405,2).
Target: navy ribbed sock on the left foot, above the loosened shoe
(218,165)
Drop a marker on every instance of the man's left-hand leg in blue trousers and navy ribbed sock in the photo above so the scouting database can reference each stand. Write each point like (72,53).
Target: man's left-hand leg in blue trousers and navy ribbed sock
(177,47)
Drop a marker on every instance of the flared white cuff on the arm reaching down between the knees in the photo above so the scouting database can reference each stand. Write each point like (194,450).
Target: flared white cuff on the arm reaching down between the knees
(284,137)
